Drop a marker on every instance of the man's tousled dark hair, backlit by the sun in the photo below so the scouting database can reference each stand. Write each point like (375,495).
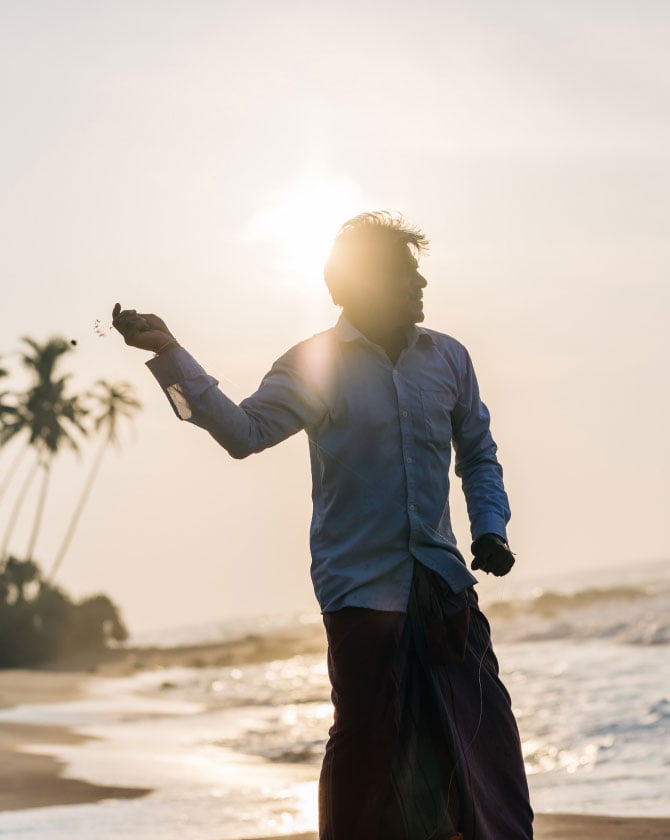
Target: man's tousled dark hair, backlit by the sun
(355,236)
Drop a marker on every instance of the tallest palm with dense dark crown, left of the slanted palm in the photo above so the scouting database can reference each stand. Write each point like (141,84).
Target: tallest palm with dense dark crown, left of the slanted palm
(49,416)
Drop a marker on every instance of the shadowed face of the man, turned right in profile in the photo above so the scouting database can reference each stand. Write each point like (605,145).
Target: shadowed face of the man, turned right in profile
(390,286)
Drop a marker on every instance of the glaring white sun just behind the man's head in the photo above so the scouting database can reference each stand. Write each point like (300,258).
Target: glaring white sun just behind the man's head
(297,226)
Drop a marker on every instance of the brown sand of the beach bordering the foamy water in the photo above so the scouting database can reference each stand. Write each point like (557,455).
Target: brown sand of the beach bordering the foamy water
(30,780)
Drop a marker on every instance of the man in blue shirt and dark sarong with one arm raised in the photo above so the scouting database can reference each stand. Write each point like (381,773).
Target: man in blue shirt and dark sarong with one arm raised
(424,744)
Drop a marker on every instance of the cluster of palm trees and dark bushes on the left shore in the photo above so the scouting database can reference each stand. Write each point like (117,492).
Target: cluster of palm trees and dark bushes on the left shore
(39,621)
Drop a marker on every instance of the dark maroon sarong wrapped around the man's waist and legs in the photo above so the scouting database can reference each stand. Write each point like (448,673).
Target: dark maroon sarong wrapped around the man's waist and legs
(424,743)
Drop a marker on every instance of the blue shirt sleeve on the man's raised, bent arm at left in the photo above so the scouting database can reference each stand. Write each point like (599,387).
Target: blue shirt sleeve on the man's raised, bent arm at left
(284,403)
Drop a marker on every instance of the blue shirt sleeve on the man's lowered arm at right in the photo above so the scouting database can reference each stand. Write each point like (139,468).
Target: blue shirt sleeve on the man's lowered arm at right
(476,463)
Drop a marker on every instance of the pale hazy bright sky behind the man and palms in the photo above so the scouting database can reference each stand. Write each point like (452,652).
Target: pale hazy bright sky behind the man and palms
(194,159)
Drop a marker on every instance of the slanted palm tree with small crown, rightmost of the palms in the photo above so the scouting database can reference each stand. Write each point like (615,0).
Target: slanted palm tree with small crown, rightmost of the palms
(114,401)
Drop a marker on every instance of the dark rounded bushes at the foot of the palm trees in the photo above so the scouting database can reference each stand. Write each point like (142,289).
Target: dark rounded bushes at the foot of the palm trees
(39,622)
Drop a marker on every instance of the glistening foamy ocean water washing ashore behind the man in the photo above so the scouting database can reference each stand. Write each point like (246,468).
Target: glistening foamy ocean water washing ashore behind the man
(235,752)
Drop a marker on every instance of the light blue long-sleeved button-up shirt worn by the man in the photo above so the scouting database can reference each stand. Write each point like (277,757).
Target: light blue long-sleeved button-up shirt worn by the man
(380,439)
